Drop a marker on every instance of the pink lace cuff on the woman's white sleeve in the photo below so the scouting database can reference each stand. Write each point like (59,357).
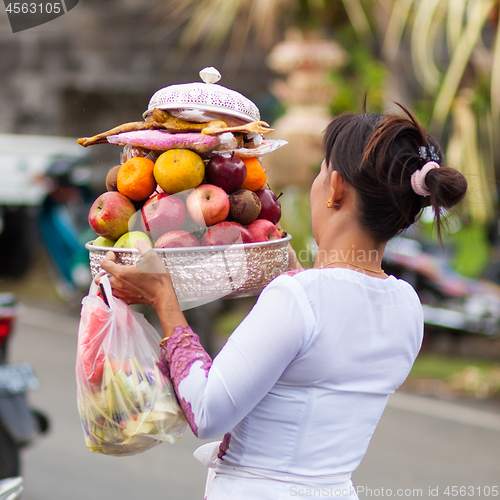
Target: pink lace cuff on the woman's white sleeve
(179,352)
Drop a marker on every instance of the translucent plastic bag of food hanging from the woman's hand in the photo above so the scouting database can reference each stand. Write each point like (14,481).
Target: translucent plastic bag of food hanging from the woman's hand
(126,404)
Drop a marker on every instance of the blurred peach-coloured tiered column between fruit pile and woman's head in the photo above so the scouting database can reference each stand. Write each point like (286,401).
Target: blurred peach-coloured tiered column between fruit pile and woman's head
(307,61)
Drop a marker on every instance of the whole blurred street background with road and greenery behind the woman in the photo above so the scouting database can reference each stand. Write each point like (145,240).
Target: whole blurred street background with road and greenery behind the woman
(301,62)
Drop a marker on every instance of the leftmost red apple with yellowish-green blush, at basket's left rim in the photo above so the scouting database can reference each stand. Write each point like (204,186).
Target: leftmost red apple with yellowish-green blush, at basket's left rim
(110,213)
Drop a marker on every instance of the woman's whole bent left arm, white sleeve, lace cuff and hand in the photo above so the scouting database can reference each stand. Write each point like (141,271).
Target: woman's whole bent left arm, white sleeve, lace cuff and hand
(216,396)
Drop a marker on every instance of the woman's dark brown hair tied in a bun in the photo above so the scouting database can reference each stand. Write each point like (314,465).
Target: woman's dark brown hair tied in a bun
(377,155)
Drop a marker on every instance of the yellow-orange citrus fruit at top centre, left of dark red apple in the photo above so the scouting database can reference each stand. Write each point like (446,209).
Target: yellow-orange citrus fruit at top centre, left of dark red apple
(178,170)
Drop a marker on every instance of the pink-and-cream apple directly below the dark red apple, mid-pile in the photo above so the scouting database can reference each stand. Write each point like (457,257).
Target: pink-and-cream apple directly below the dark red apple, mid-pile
(207,205)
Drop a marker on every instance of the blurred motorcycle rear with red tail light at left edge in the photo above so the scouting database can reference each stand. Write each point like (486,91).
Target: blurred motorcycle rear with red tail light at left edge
(19,424)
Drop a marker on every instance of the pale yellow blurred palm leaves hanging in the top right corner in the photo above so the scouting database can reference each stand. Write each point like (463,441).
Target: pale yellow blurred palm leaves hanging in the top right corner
(462,21)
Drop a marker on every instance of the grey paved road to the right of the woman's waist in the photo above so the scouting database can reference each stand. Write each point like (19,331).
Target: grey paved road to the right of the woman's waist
(423,444)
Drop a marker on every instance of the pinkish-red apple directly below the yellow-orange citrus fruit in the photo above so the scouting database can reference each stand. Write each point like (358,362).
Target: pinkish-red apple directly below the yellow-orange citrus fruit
(162,213)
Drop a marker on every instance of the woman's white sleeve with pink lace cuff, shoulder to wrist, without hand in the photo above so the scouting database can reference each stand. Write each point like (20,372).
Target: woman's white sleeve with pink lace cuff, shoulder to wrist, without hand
(217,395)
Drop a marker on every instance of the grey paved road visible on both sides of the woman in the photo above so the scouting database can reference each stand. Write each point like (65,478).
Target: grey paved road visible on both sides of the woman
(420,447)
